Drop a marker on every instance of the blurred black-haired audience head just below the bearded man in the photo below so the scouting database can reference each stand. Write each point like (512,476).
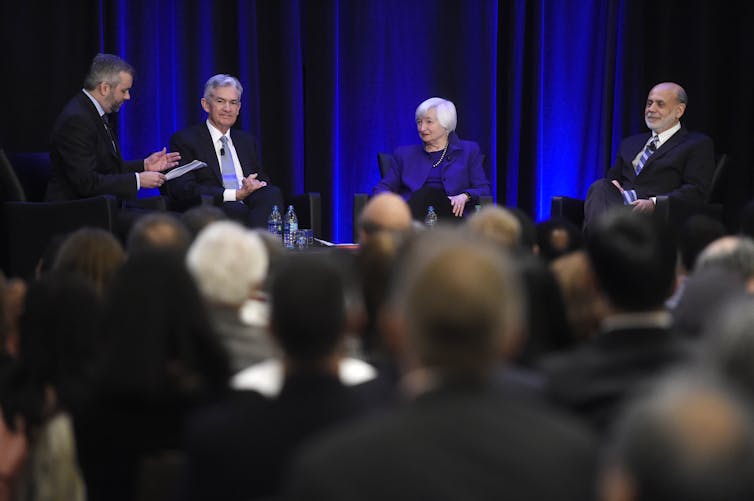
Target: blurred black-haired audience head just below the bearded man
(633,256)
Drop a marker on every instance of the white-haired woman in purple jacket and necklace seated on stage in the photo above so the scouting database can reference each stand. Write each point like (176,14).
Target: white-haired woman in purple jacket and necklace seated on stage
(444,171)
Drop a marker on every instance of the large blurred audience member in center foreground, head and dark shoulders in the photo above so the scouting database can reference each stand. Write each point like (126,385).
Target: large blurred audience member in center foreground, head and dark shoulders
(459,437)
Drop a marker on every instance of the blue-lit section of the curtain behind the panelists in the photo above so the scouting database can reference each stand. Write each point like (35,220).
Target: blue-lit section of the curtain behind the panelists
(538,85)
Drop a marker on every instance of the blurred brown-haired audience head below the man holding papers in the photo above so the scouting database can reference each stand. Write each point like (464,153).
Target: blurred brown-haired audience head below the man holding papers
(92,253)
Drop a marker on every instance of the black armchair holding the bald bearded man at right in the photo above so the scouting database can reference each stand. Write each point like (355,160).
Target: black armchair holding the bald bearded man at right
(671,209)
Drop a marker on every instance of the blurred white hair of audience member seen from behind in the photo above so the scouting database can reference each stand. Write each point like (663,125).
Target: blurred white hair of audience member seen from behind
(228,262)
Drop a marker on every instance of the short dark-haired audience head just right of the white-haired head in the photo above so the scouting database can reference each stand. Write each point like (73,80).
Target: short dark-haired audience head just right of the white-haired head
(308,312)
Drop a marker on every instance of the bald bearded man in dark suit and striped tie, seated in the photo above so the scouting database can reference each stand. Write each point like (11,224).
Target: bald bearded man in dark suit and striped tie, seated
(670,161)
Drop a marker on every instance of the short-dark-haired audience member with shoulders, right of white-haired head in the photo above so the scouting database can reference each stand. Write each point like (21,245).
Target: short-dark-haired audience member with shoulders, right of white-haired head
(239,451)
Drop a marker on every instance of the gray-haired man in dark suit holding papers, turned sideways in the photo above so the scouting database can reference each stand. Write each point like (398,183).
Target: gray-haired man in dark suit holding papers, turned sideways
(86,158)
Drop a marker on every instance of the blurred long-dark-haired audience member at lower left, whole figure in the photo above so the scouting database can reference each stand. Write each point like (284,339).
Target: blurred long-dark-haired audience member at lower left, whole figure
(57,344)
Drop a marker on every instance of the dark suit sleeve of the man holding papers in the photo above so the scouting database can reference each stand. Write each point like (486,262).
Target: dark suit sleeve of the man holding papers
(81,159)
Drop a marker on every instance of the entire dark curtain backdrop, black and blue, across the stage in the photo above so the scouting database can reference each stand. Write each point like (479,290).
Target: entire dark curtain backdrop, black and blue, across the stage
(546,87)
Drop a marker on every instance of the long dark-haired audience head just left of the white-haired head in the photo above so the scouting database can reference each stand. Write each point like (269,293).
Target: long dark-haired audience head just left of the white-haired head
(158,338)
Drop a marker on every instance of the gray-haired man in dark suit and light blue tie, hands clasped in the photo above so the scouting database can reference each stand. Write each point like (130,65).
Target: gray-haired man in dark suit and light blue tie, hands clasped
(233,177)
